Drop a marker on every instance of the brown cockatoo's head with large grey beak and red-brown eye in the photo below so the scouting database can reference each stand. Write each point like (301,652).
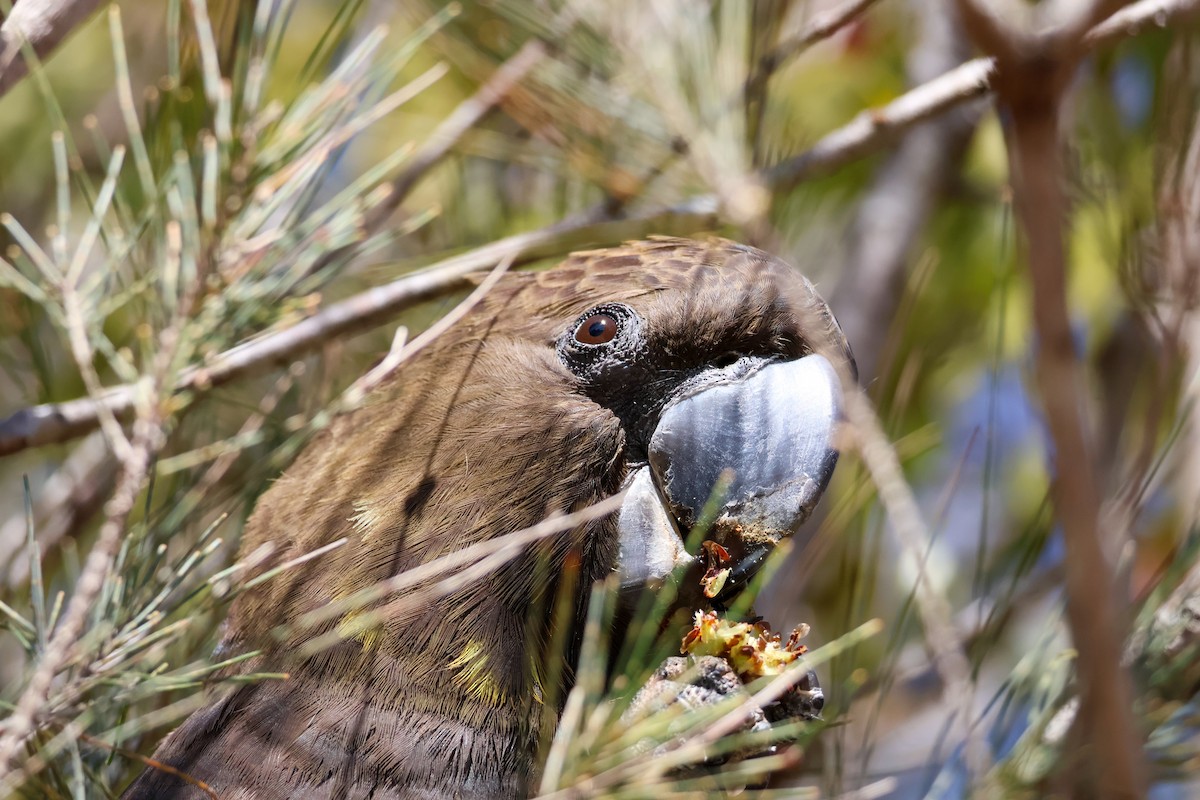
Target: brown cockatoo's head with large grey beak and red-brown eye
(669,368)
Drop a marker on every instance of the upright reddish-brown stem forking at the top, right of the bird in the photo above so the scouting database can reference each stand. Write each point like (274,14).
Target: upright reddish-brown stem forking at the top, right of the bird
(1034,71)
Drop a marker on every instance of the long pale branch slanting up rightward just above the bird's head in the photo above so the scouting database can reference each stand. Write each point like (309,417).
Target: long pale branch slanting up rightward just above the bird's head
(55,423)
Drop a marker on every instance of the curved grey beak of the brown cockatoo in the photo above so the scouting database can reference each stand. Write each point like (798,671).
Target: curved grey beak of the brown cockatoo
(763,440)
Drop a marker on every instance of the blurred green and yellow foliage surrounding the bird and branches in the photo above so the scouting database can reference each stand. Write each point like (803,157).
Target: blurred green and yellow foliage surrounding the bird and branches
(257,200)
